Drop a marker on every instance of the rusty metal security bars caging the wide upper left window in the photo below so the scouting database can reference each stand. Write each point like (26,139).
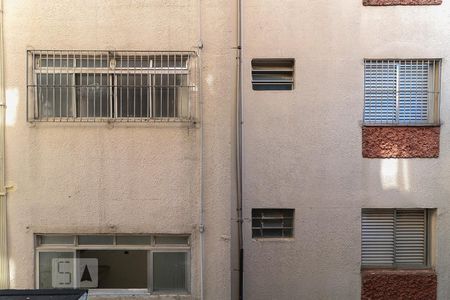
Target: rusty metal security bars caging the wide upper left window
(123,86)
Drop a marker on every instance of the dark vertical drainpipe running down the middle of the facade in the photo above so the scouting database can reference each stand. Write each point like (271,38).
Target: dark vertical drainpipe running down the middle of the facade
(239,139)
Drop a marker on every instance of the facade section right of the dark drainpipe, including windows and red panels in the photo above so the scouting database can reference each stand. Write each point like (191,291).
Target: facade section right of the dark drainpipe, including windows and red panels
(352,149)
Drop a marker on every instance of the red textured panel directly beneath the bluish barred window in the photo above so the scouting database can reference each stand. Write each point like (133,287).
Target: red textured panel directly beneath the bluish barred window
(400,142)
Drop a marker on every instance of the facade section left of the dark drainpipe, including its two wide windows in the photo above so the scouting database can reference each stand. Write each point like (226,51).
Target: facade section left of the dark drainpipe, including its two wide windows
(109,155)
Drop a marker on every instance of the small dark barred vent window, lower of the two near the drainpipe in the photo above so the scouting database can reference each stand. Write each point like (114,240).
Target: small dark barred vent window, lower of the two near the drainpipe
(272,223)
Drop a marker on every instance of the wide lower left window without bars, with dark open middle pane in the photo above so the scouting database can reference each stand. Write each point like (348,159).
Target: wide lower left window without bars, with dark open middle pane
(159,264)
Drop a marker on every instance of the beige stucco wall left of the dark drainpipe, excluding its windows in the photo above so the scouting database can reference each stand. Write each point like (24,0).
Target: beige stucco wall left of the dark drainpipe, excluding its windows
(98,178)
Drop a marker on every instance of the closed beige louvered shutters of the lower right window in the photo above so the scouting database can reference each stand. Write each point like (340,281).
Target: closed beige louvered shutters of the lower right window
(395,237)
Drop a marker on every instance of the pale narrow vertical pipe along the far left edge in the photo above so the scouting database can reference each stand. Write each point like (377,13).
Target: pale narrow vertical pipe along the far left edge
(4,263)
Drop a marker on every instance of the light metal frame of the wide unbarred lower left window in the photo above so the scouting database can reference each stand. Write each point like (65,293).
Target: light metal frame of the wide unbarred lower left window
(150,249)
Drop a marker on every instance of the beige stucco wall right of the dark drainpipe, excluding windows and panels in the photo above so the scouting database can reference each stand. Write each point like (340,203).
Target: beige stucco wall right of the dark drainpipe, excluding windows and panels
(302,148)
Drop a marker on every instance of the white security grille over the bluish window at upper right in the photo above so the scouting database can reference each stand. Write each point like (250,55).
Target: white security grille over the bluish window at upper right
(401,92)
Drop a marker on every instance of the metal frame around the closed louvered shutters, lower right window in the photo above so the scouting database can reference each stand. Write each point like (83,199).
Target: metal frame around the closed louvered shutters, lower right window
(428,232)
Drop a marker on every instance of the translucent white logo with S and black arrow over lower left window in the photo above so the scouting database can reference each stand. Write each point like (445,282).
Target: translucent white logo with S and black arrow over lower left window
(74,272)
